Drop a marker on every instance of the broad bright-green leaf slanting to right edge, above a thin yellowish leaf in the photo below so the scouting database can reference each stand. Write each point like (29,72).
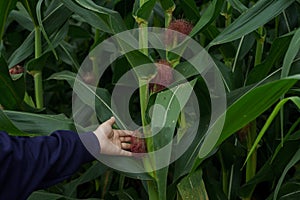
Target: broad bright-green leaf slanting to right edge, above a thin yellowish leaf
(246,108)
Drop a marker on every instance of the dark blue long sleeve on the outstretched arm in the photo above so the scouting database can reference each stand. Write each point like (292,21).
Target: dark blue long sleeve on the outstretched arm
(31,163)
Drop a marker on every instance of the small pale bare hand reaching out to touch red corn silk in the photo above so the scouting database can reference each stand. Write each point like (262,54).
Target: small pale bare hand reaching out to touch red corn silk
(112,141)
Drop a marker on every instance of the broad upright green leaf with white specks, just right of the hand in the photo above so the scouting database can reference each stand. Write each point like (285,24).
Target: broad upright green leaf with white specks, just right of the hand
(172,101)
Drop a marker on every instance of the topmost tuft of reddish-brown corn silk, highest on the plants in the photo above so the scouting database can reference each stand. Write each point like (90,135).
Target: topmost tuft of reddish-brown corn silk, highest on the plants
(179,25)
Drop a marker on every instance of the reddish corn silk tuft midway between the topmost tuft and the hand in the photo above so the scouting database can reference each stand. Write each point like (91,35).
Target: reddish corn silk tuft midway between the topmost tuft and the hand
(164,76)
